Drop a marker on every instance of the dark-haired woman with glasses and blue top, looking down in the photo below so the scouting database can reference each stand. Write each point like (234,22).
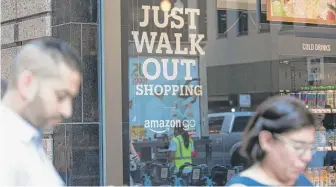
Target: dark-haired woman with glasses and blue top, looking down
(278,142)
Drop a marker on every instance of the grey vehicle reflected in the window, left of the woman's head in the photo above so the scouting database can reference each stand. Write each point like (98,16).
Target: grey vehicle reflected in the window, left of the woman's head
(225,131)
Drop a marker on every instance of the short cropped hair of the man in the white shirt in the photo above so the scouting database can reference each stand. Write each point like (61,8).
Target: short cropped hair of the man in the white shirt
(30,58)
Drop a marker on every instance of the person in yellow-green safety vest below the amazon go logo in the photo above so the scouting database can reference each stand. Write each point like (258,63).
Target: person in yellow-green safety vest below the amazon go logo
(181,149)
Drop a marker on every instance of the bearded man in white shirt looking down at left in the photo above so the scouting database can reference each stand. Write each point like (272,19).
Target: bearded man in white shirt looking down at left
(45,78)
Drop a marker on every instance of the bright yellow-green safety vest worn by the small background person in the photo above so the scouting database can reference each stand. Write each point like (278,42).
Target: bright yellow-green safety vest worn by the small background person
(182,154)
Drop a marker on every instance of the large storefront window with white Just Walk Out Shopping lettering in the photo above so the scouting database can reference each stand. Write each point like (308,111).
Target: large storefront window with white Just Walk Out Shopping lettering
(207,65)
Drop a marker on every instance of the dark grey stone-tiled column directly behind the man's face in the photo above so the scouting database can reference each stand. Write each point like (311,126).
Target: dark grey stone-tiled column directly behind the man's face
(76,142)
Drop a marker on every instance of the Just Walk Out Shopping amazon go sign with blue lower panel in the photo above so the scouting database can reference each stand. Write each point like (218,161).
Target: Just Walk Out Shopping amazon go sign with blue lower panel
(164,92)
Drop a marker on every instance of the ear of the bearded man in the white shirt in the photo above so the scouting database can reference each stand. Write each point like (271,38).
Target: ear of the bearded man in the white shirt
(27,85)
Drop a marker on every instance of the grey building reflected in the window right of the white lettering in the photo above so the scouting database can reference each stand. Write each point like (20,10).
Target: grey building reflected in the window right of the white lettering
(262,57)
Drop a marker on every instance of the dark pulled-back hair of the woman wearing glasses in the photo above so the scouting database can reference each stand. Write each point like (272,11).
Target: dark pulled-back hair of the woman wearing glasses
(278,114)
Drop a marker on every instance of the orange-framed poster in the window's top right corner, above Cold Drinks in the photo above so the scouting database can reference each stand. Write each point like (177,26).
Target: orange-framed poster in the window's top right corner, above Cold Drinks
(302,11)
